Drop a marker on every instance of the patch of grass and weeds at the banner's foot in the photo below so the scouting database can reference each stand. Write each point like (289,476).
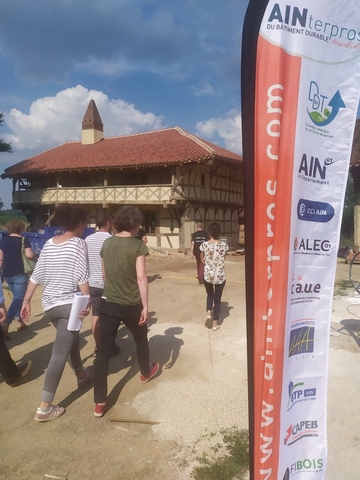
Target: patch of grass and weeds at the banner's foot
(226,460)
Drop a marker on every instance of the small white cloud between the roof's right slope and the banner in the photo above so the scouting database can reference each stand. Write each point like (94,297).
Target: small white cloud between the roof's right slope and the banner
(228,129)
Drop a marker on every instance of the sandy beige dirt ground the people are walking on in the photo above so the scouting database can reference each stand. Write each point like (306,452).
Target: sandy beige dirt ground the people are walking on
(202,388)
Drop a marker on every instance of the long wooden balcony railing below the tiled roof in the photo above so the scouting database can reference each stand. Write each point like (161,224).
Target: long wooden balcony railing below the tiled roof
(144,194)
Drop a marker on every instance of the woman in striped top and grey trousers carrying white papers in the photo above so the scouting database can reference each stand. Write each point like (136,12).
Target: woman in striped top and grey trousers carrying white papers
(62,270)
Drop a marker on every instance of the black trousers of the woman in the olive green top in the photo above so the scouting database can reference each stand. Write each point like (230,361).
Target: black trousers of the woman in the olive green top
(110,317)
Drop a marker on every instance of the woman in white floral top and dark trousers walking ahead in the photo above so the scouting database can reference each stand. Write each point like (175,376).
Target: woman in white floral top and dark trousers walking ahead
(213,254)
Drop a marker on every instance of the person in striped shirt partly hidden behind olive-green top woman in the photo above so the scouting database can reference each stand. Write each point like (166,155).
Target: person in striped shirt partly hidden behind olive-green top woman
(96,282)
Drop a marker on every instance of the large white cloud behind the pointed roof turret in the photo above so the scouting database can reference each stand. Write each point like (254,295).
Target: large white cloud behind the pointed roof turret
(54,120)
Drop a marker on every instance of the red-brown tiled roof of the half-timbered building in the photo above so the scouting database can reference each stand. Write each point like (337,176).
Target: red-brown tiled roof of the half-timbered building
(162,147)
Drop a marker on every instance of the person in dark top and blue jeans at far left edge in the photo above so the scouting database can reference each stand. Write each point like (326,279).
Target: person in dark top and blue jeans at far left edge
(11,264)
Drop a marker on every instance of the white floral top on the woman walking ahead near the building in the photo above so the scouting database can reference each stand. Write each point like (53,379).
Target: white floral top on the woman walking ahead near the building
(214,257)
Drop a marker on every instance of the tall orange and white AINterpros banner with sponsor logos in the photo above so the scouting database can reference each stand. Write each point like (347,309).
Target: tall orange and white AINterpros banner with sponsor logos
(300,94)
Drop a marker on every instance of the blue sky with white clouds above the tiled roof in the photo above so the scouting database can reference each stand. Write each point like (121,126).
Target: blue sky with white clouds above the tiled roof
(148,64)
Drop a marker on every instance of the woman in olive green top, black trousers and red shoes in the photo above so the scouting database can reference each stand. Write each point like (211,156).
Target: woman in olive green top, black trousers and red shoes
(125,299)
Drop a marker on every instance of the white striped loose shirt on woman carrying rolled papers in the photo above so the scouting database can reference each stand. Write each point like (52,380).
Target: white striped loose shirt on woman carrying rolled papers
(60,270)
